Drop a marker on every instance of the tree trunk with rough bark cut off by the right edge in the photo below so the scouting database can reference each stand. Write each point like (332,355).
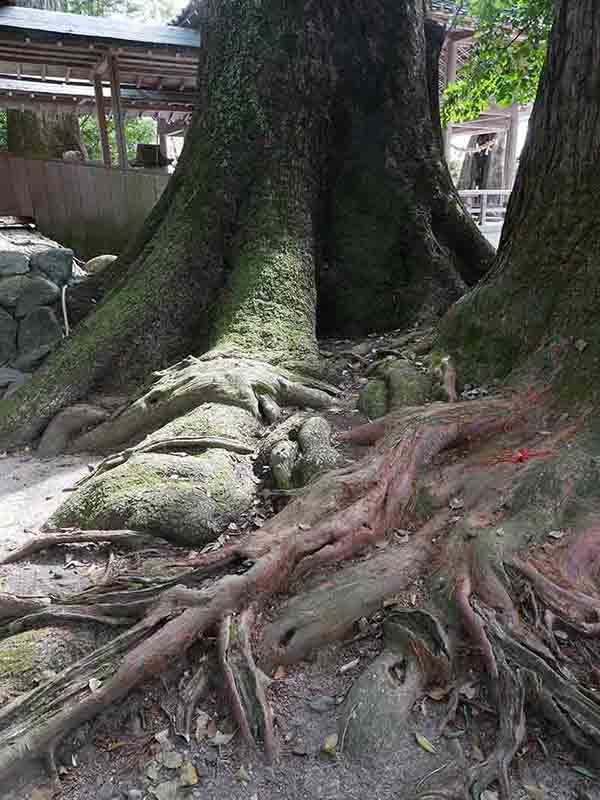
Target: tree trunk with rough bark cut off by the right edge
(541,294)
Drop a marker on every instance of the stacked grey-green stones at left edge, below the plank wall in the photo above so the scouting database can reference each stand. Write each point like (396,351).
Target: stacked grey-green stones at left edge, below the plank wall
(30,289)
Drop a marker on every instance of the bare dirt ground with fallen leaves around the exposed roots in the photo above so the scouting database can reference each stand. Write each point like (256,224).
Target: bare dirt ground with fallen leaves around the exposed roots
(132,753)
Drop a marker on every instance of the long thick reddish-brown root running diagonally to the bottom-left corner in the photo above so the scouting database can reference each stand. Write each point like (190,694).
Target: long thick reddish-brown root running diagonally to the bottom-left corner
(335,518)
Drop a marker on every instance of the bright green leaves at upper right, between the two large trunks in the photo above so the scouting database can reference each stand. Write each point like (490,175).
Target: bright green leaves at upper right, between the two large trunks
(506,59)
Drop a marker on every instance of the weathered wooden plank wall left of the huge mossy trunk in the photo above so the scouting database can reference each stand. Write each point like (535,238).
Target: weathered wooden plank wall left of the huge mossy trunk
(91,208)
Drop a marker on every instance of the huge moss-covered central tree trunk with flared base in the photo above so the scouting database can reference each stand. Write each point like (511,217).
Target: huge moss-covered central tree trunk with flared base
(311,152)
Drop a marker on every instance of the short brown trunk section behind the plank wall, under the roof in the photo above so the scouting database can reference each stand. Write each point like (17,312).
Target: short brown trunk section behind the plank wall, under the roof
(44,134)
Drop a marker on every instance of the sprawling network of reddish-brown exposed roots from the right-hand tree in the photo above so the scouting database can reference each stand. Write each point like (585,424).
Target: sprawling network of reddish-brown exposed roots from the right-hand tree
(336,518)
